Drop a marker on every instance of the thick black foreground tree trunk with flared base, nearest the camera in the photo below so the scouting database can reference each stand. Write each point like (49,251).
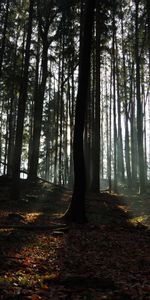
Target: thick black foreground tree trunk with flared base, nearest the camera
(76,210)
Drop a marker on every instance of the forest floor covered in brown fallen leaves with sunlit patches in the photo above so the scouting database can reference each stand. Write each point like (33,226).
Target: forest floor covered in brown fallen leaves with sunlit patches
(42,258)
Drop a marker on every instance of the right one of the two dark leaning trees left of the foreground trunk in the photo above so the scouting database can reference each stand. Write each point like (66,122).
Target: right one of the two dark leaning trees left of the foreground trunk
(45,18)
